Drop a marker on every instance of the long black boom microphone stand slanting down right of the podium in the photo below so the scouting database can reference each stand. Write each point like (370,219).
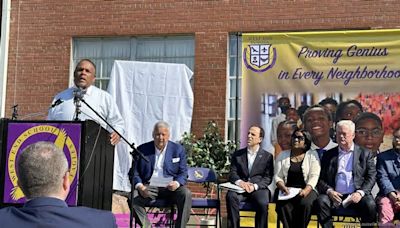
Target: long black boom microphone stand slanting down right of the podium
(135,153)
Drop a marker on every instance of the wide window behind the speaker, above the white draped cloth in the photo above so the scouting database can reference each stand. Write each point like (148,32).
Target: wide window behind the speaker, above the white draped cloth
(103,52)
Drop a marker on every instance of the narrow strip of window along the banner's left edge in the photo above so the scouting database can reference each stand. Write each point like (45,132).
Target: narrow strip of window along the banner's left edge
(234,87)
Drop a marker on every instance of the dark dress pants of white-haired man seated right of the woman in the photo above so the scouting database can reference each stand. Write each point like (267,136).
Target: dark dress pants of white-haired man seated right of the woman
(366,206)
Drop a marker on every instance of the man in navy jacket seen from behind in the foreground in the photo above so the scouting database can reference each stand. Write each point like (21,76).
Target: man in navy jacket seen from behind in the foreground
(43,176)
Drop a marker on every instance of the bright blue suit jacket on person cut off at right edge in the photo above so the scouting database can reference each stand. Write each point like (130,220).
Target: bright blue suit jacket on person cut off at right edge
(388,172)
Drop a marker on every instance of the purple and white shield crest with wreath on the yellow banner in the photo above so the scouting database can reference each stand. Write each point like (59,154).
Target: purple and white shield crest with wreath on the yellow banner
(259,57)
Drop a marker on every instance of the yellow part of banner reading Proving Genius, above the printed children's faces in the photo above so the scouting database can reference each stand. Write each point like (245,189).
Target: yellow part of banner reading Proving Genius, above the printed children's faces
(346,64)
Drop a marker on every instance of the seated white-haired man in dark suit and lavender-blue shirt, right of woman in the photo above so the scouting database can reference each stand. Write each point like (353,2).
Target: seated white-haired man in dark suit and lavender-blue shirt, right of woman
(347,177)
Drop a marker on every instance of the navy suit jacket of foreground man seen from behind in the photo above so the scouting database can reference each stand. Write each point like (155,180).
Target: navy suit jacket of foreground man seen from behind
(50,212)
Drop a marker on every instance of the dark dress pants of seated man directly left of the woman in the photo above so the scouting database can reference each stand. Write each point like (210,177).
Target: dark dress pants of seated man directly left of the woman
(259,199)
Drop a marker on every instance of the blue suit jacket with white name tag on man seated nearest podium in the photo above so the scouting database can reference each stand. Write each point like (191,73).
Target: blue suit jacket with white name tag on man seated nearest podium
(175,164)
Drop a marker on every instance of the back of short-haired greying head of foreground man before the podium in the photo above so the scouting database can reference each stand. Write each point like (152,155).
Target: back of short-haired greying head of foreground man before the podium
(41,167)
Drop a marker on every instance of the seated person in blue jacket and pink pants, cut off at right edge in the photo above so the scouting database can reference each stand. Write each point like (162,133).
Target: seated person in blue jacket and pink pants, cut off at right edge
(388,178)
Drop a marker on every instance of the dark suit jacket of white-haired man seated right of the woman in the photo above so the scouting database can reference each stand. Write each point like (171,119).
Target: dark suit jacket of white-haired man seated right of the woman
(364,171)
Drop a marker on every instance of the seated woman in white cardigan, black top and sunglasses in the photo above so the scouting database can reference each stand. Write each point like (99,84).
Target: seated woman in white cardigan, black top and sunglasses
(300,169)
